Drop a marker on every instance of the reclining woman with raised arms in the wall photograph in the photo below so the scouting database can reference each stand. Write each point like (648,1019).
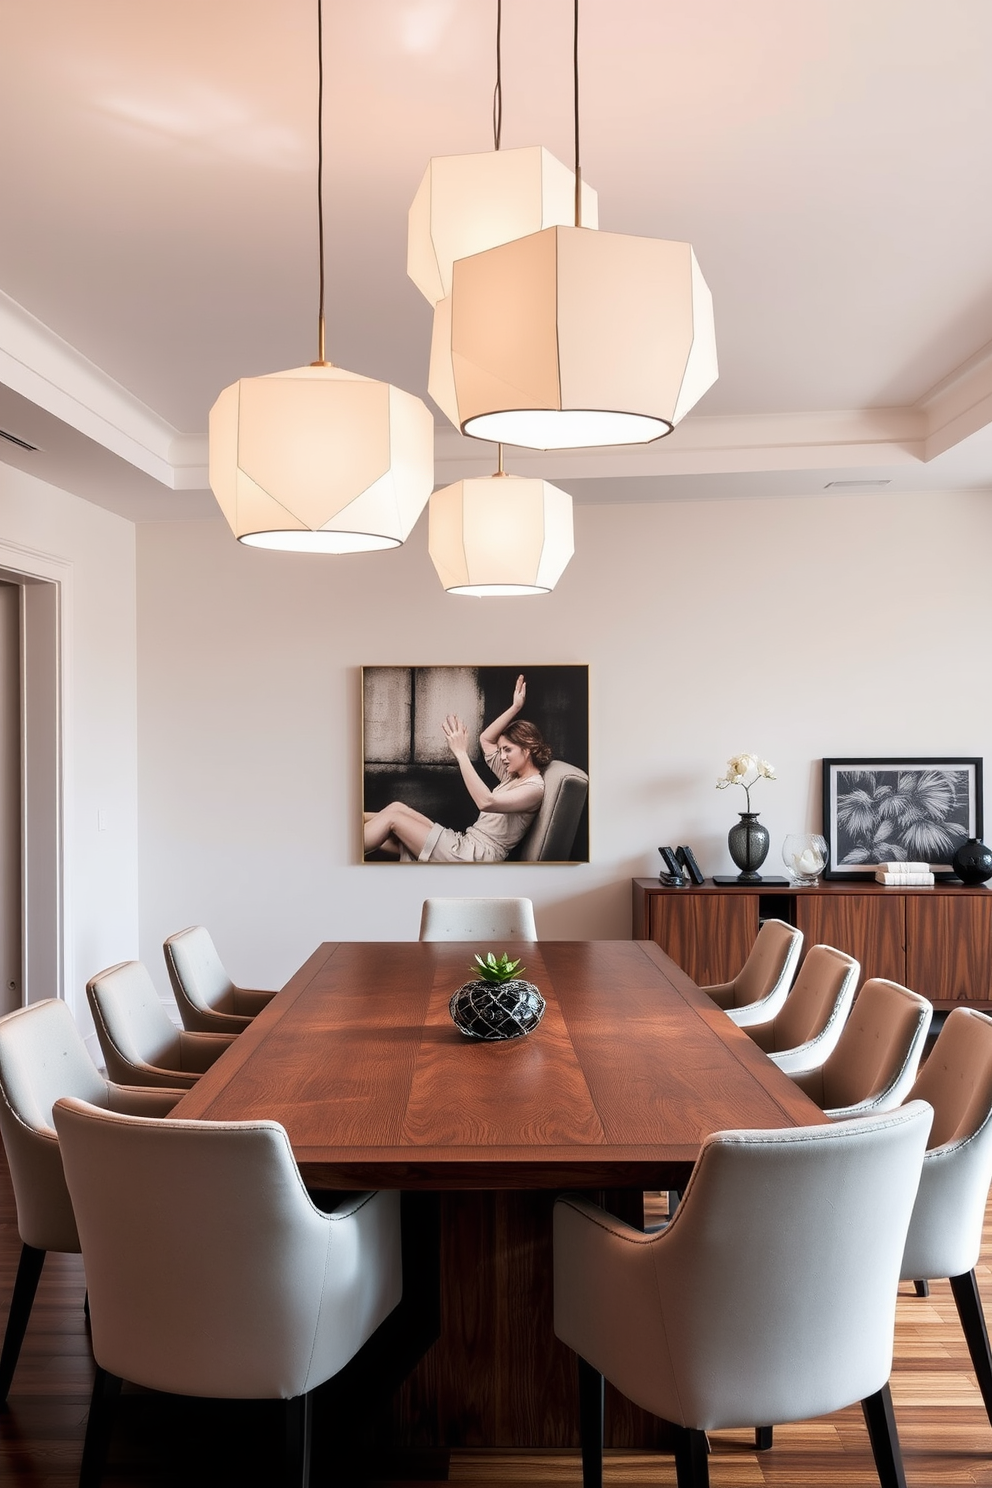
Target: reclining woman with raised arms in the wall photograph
(517,755)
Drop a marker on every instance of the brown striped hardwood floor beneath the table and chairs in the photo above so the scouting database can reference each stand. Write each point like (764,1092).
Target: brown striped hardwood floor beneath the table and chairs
(158,1444)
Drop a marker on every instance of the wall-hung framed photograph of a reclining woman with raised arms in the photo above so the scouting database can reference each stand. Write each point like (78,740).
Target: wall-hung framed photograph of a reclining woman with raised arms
(475,764)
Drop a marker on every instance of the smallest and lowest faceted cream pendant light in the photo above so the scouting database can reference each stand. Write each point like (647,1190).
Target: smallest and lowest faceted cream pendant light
(503,535)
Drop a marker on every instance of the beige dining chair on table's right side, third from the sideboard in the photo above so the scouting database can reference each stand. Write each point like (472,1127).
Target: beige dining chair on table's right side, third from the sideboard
(877,1057)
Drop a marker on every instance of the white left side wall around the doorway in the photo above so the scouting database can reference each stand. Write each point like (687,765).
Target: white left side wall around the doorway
(102,715)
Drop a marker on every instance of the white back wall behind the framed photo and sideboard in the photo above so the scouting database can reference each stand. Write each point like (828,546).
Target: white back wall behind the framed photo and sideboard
(795,629)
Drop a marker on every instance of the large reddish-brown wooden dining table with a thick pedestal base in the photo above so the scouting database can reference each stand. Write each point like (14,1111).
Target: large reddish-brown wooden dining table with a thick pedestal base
(612,1094)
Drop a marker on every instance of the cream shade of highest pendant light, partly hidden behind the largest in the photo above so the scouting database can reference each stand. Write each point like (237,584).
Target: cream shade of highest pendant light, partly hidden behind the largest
(471,203)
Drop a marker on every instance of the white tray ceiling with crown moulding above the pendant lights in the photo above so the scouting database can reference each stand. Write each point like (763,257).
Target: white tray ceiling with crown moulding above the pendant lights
(831,163)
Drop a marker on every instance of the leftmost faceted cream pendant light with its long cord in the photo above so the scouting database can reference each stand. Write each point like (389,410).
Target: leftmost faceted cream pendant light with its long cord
(318,459)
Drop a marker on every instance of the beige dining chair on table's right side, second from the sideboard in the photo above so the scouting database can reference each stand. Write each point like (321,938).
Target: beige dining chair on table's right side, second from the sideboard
(805,1030)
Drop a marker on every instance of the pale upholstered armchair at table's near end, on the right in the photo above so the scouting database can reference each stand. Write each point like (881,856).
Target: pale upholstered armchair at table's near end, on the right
(764,1301)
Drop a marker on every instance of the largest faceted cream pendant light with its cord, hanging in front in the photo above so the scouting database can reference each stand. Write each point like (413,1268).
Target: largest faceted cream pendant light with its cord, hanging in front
(570,339)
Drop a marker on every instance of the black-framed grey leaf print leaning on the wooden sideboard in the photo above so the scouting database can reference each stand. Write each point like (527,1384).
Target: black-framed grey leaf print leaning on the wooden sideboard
(881,810)
